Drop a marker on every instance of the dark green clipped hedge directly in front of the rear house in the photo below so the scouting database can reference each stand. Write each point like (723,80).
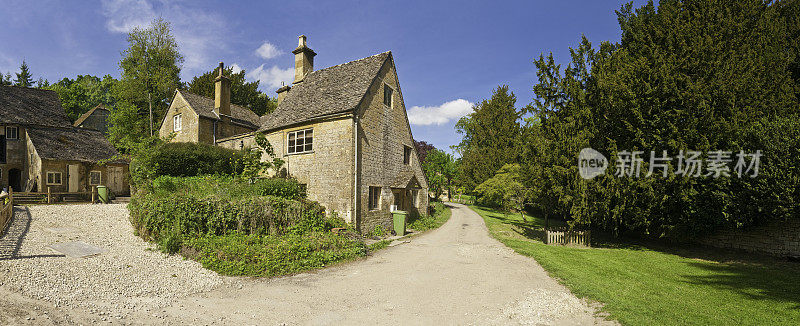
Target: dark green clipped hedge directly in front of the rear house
(183,160)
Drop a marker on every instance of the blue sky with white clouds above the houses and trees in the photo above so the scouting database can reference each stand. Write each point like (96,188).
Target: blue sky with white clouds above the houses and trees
(449,55)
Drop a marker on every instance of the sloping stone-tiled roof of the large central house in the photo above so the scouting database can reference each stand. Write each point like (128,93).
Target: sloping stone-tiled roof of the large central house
(332,90)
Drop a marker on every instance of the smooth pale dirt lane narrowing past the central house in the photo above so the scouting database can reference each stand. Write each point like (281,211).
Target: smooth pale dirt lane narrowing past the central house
(455,275)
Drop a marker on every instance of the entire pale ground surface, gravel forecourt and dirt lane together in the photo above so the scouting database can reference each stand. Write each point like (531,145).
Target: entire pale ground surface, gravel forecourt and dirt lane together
(456,274)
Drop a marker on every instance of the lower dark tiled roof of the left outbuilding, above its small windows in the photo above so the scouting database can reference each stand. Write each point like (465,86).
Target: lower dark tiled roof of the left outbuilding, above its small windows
(71,144)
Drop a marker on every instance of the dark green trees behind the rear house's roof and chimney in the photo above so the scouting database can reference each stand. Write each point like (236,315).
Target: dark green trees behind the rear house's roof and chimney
(243,93)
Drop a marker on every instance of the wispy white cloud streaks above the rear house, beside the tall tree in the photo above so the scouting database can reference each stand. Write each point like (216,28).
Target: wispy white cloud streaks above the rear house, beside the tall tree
(198,33)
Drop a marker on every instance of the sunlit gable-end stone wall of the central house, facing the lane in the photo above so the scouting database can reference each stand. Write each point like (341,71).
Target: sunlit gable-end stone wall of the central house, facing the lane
(383,133)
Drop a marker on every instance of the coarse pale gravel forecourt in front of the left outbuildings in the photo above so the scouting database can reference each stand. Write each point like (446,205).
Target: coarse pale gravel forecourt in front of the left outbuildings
(131,276)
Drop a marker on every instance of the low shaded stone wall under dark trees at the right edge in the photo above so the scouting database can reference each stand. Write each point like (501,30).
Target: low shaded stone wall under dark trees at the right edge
(778,239)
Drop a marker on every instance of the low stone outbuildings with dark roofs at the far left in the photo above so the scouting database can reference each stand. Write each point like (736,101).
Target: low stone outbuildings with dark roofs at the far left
(40,149)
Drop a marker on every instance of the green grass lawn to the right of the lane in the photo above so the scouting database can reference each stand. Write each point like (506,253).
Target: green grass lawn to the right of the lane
(652,284)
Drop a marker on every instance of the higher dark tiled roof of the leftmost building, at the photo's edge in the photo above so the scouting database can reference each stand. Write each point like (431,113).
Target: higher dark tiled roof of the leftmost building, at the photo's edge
(31,106)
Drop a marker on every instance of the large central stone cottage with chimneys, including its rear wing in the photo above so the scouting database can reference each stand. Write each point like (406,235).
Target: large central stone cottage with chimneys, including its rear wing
(343,132)
